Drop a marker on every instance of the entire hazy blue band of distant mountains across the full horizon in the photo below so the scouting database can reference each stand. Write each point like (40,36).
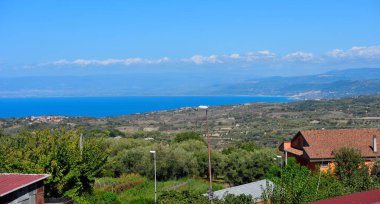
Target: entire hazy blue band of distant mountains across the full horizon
(333,84)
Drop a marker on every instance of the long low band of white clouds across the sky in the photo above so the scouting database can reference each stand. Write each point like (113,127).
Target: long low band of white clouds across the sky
(263,56)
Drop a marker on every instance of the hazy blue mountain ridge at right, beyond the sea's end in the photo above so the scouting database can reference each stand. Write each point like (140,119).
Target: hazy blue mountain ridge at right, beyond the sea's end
(333,84)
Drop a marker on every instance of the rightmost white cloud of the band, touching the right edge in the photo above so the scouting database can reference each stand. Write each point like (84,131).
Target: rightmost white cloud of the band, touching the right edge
(366,52)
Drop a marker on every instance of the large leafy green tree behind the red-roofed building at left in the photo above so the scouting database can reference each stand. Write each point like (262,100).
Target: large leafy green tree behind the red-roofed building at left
(55,152)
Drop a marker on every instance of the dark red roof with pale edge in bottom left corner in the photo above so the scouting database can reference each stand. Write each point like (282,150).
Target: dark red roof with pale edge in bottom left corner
(13,182)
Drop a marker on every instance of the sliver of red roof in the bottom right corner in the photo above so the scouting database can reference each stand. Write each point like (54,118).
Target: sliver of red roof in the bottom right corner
(367,197)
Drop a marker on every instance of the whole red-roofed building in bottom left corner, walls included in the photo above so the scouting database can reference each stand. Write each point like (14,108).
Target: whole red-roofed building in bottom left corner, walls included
(22,188)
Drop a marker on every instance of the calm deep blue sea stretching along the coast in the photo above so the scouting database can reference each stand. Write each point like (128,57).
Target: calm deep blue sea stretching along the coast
(114,106)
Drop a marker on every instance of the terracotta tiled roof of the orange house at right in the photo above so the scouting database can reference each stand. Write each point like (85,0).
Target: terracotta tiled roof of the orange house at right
(322,143)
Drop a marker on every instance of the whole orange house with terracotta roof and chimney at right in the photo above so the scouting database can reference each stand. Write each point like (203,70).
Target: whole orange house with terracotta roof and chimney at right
(315,148)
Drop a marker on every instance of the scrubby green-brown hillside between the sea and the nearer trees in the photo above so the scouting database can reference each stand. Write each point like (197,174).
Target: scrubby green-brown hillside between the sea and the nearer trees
(266,123)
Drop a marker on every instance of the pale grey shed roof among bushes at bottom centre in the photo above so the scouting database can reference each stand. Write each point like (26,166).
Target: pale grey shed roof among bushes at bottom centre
(254,189)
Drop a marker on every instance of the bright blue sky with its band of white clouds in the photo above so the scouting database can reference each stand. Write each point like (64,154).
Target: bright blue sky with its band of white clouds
(75,37)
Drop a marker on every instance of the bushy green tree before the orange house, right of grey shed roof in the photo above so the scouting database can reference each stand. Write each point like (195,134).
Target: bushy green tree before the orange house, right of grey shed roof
(297,184)
